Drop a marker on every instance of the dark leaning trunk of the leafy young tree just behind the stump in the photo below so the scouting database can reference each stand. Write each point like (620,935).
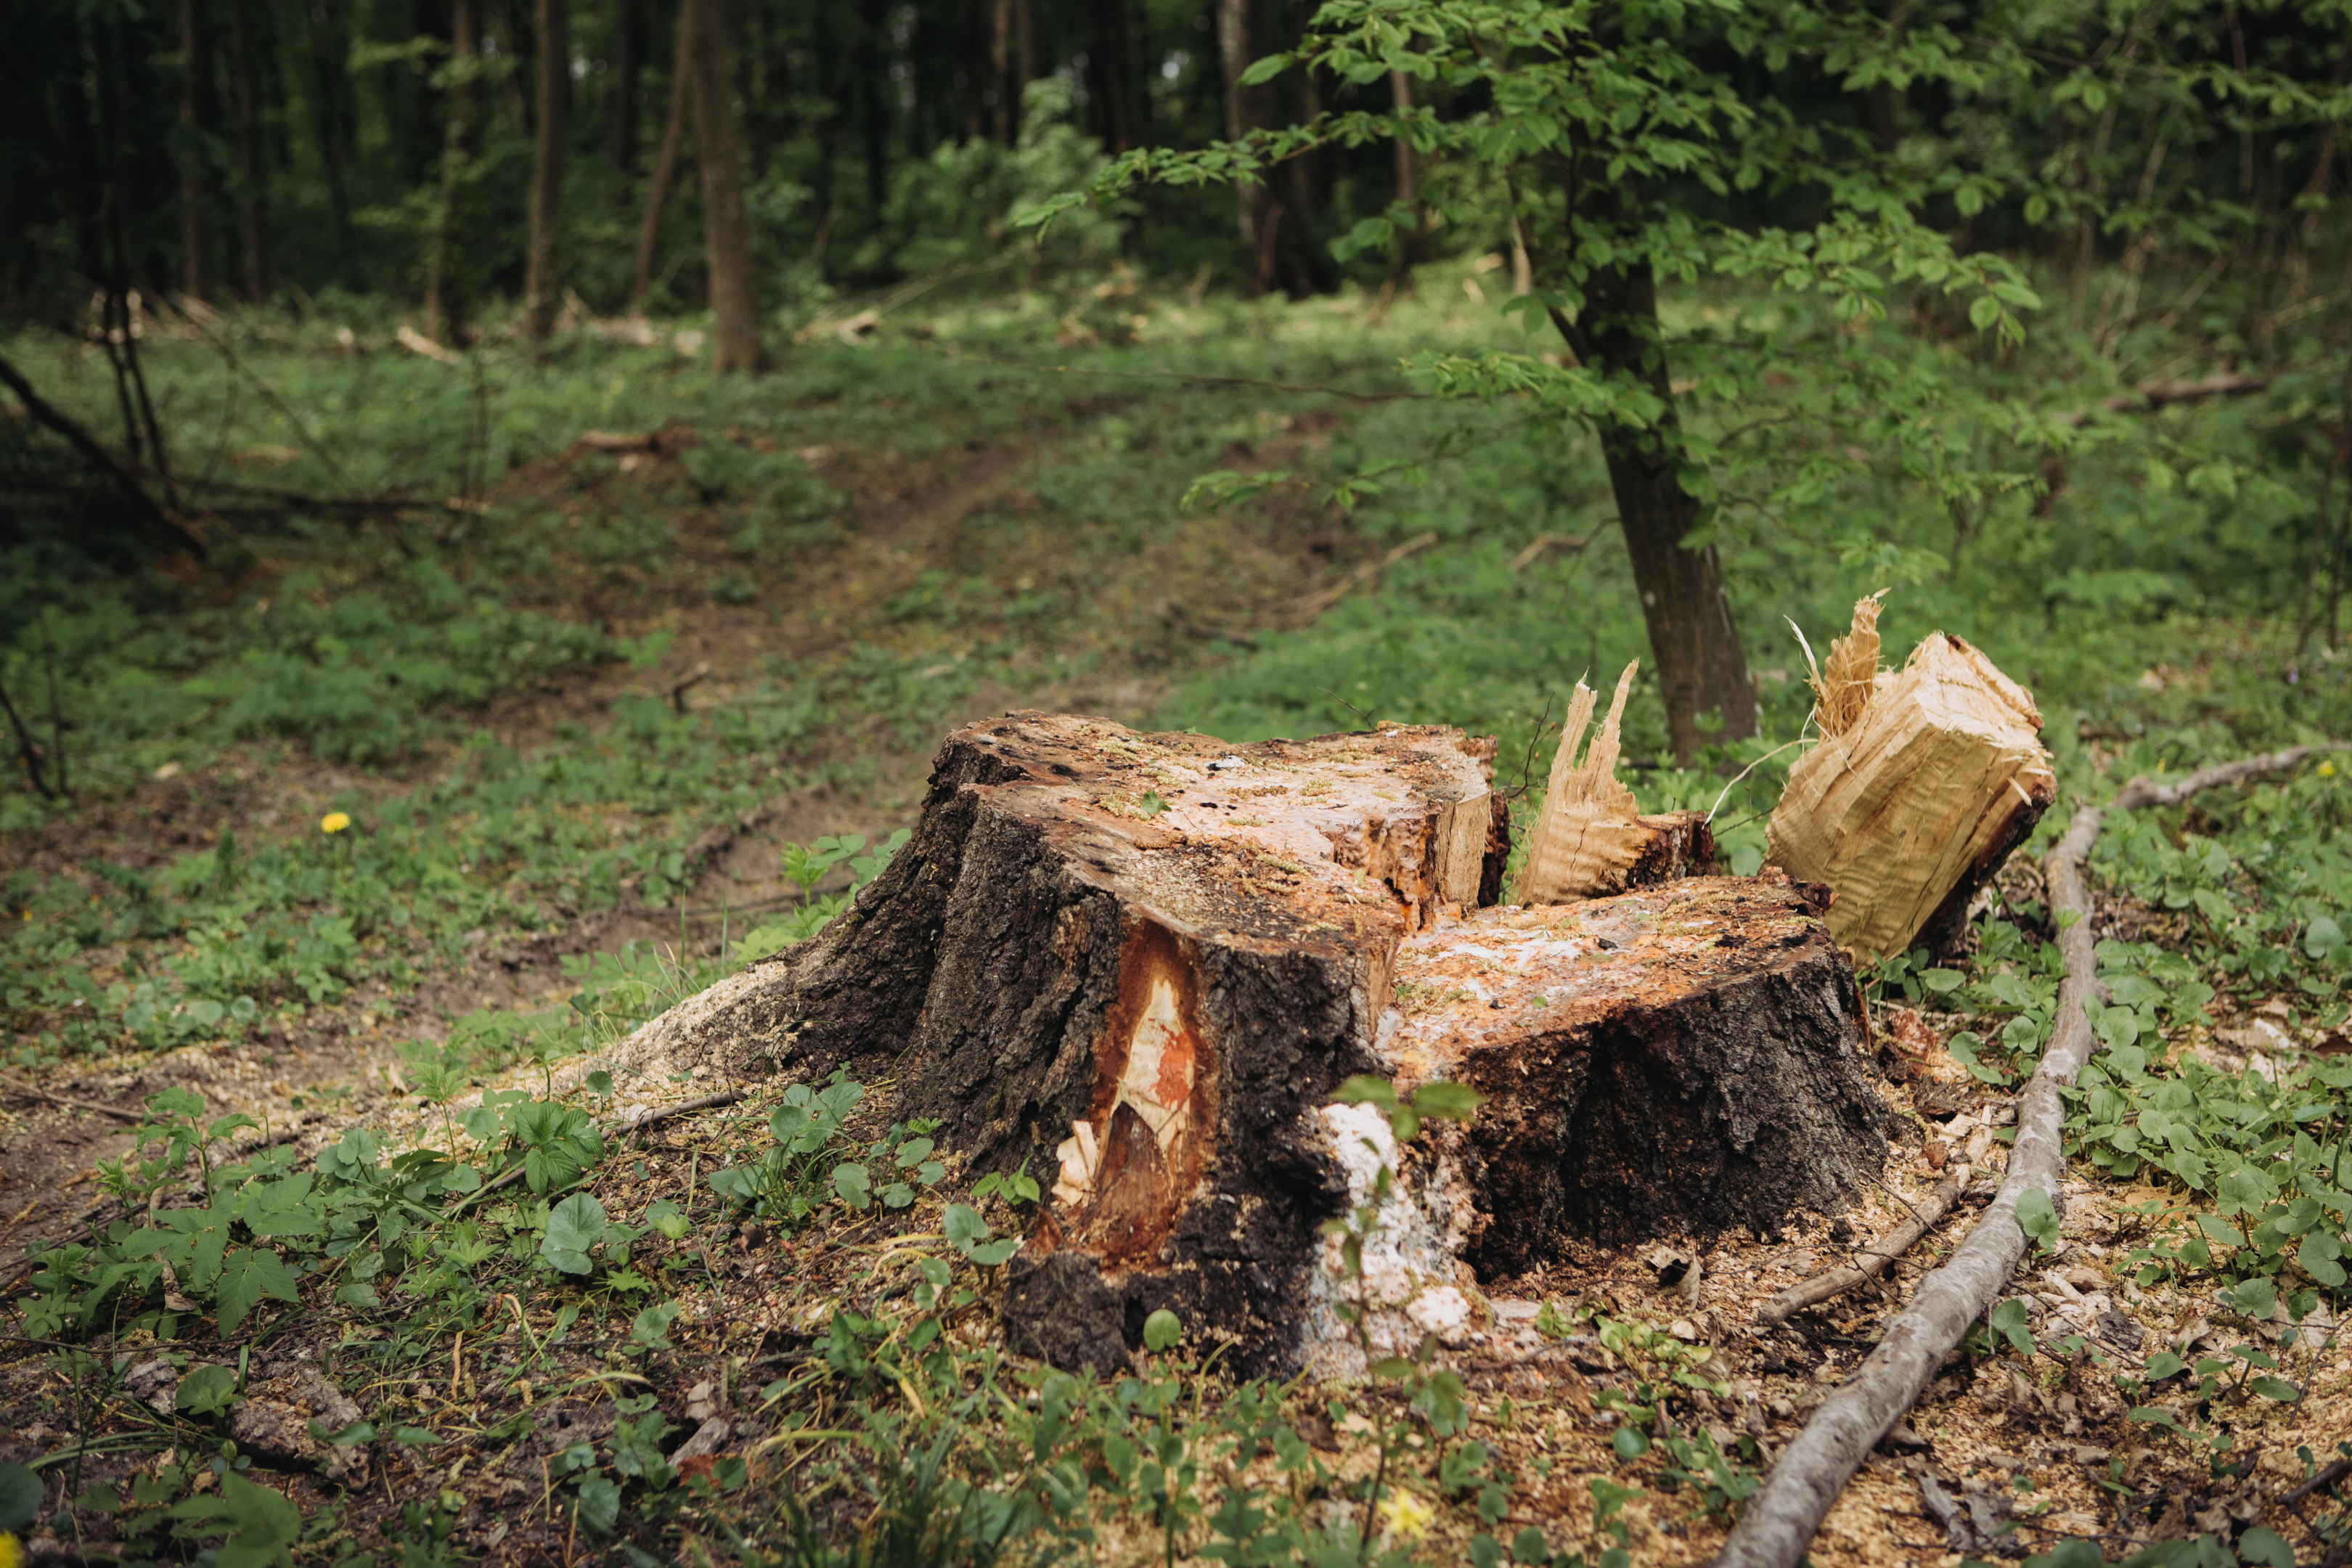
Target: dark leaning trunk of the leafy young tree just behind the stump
(1702,666)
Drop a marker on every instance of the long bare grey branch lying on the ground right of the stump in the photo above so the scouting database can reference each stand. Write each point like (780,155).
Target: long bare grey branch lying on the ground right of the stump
(1779,1522)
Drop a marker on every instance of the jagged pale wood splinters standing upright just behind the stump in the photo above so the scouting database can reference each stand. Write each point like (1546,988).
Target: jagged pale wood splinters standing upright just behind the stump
(1593,838)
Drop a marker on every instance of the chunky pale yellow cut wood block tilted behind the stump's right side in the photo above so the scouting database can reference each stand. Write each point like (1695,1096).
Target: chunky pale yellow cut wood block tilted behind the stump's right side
(1923,784)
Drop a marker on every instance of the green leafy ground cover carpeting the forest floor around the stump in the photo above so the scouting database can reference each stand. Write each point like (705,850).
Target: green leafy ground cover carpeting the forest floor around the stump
(417,683)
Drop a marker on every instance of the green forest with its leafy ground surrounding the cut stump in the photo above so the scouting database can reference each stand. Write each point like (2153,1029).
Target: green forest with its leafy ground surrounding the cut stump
(502,500)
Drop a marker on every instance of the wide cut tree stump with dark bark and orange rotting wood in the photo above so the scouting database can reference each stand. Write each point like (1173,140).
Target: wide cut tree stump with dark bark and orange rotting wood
(1144,963)
